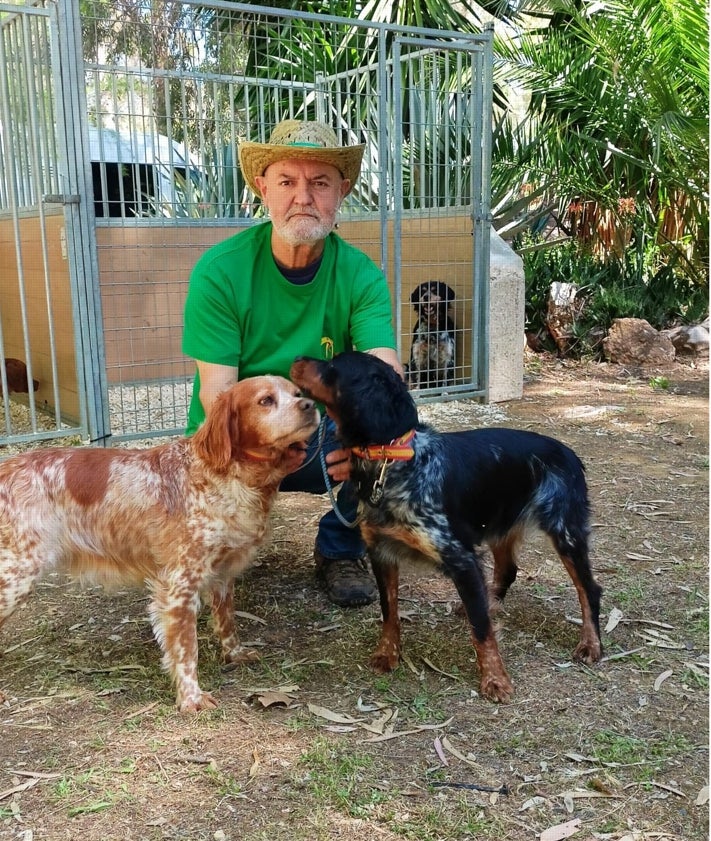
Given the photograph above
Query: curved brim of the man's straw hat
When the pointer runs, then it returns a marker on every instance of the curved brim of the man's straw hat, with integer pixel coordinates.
(254, 158)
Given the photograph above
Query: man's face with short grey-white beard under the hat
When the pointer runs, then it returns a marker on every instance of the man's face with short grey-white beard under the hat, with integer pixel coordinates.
(303, 198)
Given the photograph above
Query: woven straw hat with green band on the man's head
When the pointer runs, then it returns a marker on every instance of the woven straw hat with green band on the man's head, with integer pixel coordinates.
(303, 141)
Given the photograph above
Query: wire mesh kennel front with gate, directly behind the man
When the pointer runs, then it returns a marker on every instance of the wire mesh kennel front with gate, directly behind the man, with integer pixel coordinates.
(172, 89)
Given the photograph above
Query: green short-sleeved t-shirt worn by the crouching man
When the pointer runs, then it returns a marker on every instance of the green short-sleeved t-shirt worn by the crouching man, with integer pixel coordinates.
(241, 311)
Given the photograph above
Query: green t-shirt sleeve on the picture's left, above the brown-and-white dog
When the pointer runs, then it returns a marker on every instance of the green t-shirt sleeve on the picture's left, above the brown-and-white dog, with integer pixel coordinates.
(211, 331)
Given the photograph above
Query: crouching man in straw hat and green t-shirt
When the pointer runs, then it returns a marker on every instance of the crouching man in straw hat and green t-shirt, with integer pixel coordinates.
(293, 287)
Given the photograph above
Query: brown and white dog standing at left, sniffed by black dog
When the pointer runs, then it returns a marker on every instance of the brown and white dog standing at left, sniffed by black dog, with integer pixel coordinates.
(184, 517)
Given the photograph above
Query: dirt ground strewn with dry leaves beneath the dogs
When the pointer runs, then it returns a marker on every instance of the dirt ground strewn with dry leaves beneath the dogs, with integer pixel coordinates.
(309, 744)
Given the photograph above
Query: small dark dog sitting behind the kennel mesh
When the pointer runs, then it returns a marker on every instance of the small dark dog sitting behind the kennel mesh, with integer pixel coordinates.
(433, 349)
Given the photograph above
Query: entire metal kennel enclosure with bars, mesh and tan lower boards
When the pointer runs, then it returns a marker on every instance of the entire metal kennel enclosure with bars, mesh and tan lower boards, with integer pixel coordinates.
(149, 109)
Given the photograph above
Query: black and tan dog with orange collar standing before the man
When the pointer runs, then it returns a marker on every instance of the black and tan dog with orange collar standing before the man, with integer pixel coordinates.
(426, 495)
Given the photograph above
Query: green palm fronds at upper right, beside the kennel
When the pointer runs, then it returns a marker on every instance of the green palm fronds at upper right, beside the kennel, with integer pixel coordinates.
(618, 119)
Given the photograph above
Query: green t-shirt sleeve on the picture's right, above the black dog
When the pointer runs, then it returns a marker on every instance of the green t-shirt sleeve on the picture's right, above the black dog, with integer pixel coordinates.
(371, 316)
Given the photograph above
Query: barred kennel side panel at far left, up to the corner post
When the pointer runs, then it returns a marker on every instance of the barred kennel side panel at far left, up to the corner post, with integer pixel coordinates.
(49, 302)
